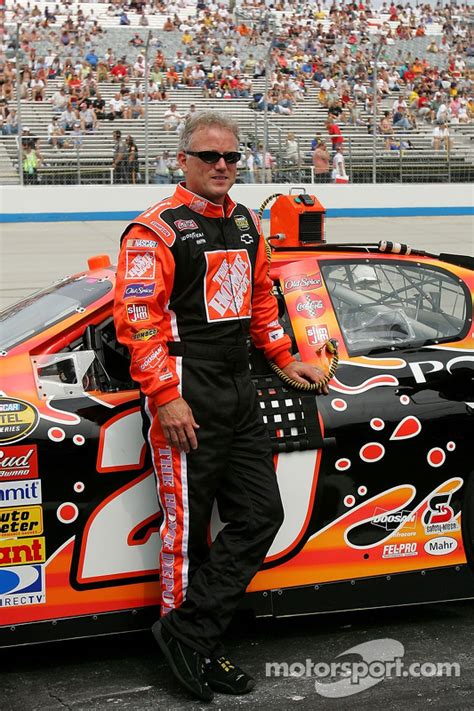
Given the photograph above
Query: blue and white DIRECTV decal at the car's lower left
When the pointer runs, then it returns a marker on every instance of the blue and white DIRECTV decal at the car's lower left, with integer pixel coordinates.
(22, 585)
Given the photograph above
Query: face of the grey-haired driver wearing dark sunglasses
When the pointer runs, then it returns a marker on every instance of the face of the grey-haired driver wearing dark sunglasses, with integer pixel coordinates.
(214, 181)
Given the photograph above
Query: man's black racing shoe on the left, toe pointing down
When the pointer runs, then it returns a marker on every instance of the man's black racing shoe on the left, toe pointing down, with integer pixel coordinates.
(186, 664)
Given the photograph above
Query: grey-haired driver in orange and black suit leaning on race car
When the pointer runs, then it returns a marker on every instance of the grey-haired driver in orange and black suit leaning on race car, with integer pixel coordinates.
(192, 285)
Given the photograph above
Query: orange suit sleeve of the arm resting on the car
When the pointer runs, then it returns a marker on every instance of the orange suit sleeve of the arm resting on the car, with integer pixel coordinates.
(265, 329)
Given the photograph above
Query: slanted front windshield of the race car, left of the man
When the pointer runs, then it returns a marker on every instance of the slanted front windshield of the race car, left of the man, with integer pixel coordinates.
(35, 314)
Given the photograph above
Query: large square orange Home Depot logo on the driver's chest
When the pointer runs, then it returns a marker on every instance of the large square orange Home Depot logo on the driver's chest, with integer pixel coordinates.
(227, 285)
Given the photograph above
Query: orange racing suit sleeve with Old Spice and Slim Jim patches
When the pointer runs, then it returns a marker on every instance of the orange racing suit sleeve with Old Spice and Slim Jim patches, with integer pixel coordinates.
(143, 323)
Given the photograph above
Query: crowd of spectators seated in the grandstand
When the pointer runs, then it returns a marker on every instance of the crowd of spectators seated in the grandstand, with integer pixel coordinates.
(327, 46)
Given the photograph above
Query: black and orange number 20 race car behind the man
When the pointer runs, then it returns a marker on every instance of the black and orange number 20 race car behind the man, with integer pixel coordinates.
(376, 478)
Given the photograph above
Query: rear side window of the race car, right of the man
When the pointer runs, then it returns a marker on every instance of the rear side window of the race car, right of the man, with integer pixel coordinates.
(394, 304)
